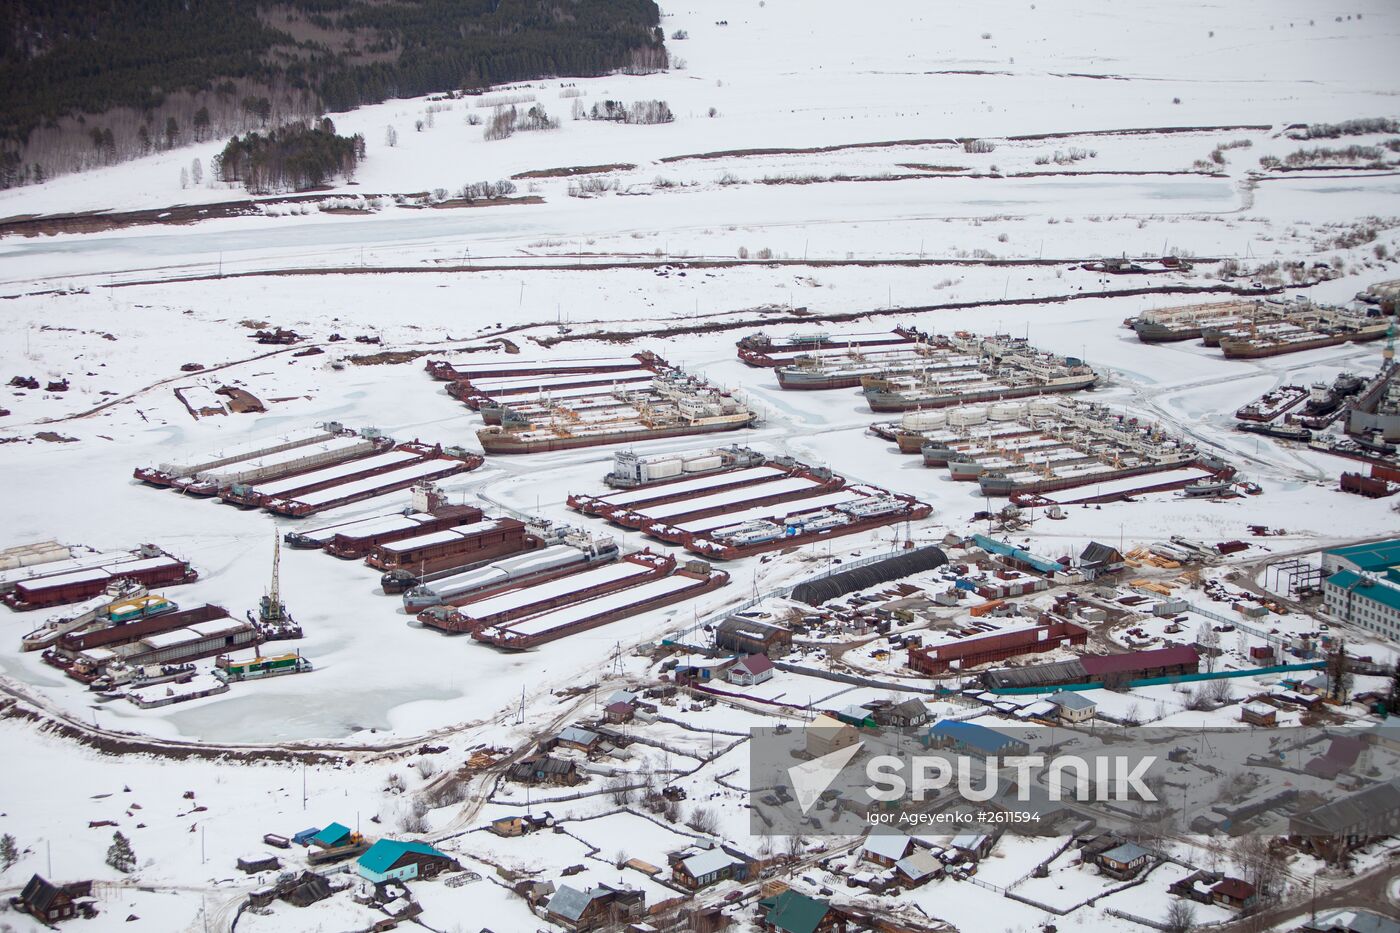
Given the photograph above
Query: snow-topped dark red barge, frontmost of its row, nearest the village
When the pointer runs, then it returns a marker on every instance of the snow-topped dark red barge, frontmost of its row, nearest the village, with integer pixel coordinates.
(688, 583)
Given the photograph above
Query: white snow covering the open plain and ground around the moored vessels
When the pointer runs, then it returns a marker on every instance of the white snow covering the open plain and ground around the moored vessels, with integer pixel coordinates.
(885, 97)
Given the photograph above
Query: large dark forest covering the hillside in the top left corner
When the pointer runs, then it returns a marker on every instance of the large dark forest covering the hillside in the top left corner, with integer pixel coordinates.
(94, 82)
